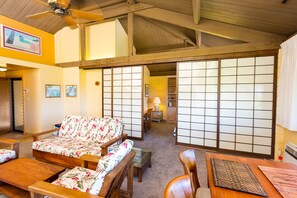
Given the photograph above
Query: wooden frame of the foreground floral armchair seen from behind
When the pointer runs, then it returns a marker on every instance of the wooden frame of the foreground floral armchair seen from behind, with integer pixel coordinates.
(110, 188)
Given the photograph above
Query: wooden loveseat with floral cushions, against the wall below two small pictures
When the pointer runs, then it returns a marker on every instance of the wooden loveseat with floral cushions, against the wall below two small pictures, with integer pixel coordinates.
(77, 136)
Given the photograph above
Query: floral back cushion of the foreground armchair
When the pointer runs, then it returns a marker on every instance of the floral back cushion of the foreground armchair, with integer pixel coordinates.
(108, 162)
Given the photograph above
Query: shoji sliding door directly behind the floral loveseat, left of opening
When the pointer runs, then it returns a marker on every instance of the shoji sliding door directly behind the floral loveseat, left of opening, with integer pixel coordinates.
(123, 97)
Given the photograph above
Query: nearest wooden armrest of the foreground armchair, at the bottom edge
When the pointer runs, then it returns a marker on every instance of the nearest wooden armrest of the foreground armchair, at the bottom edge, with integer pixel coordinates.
(51, 190)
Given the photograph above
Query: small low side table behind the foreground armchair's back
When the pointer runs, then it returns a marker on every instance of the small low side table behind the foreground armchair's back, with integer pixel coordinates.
(141, 160)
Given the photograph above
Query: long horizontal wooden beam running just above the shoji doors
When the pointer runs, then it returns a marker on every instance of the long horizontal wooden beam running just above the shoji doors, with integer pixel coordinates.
(181, 55)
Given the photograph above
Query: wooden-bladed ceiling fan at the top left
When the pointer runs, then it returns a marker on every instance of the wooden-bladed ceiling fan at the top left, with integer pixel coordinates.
(63, 8)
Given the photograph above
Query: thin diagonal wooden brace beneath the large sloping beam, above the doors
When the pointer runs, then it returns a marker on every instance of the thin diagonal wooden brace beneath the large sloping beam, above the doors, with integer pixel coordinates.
(168, 28)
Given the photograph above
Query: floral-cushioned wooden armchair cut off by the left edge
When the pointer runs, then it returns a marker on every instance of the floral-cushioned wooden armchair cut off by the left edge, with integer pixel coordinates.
(9, 154)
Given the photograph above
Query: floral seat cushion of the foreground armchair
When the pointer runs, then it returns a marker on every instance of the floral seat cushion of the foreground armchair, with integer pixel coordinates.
(77, 178)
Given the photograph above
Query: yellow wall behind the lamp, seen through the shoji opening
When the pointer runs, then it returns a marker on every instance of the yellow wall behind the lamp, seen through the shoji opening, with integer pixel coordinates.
(158, 88)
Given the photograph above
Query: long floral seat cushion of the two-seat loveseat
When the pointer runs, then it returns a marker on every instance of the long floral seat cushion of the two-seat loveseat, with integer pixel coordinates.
(67, 147)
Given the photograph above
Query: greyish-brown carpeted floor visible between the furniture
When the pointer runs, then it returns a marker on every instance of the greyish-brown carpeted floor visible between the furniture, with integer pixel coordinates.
(165, 163)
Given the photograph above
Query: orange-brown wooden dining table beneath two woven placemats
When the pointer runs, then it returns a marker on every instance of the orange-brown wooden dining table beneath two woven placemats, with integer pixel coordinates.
(253, 164)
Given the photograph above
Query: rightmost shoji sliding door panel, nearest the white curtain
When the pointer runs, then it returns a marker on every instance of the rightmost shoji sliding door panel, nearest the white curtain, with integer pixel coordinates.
(246, 113)
